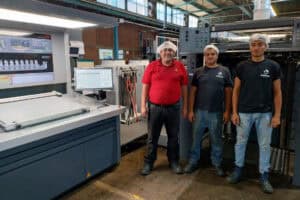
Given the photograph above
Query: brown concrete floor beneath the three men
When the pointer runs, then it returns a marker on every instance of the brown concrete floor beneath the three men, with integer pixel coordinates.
(125, 182)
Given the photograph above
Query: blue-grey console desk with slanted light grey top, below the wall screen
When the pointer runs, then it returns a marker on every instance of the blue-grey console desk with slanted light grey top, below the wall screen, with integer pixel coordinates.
(63, 141)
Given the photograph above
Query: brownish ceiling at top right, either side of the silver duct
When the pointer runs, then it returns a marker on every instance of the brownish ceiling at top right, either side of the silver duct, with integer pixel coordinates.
(220, 11)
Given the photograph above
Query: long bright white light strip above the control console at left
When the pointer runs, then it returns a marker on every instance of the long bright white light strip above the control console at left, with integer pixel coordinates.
(19, 16)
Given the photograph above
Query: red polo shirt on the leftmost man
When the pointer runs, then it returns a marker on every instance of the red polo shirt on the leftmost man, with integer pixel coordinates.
(165, 82)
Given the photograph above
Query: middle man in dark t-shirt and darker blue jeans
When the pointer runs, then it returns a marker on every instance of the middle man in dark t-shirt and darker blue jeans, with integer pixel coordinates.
(211, 89)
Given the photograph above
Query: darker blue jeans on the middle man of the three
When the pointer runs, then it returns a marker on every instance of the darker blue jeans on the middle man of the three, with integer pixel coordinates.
(214, 122)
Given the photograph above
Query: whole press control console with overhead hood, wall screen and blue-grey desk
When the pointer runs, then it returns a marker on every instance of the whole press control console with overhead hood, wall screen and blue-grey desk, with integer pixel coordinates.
(50, 142)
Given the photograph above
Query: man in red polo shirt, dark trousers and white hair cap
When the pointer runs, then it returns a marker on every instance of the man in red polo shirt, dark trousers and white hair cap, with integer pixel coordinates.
(164, 82)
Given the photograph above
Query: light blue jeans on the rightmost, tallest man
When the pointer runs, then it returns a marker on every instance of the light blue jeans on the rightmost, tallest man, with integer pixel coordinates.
(264, 134)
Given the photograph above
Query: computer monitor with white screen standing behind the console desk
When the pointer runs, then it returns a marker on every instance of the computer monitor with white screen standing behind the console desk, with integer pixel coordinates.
(93, 79)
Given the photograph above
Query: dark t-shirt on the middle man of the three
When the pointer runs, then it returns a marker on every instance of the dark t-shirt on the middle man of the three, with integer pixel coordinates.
(210, 83)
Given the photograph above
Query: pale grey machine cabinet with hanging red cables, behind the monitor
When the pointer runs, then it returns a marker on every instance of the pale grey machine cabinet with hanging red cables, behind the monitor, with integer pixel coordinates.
(127, 92)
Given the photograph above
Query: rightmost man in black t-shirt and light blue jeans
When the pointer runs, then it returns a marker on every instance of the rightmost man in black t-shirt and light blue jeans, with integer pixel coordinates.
(257, 89)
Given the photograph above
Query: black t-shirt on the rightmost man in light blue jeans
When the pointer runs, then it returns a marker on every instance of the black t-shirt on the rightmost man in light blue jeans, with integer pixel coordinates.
(256, 93)
